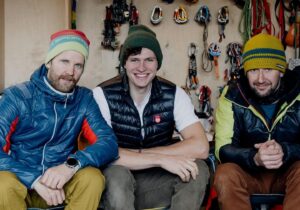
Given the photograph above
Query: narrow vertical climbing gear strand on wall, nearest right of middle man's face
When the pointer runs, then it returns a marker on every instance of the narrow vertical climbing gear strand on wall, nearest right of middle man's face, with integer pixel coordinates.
(192, 80)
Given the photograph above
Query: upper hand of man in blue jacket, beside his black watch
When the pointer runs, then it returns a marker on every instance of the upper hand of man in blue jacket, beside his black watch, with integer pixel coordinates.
(56, 177)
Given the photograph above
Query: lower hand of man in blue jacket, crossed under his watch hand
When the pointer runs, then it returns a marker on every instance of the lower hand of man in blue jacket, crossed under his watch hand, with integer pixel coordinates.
(51, 196)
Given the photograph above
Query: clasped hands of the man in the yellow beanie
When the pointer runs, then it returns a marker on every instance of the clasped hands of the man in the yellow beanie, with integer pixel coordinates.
(269, 154)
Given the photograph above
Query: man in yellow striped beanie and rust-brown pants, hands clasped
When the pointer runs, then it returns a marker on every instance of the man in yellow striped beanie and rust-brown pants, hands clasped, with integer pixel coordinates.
(258, 129)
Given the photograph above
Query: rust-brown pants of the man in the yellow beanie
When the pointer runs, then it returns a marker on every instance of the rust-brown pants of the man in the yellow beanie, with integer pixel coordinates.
(234, 186)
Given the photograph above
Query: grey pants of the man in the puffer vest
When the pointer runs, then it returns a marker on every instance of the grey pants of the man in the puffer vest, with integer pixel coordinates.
(152, 188)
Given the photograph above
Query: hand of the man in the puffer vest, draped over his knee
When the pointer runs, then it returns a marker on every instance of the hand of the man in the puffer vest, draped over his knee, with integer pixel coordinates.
(184, 167)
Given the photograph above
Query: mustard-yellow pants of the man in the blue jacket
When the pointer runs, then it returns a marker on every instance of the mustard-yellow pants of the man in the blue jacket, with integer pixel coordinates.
(83, 192)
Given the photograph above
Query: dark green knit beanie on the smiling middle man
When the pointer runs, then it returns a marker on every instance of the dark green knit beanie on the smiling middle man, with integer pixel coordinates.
(141, 36)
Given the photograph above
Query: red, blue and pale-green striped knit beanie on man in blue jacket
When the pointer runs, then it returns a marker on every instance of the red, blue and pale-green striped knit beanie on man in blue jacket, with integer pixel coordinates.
(68, 40)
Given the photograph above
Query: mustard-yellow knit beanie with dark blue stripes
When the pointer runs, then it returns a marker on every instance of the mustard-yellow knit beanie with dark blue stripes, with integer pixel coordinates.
(264, 51)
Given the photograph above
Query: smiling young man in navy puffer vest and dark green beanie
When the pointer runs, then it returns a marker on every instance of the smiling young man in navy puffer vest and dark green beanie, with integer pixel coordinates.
(143, 109)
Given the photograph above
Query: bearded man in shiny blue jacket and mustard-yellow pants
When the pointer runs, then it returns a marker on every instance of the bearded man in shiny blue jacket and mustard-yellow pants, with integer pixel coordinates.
(40, 164)
